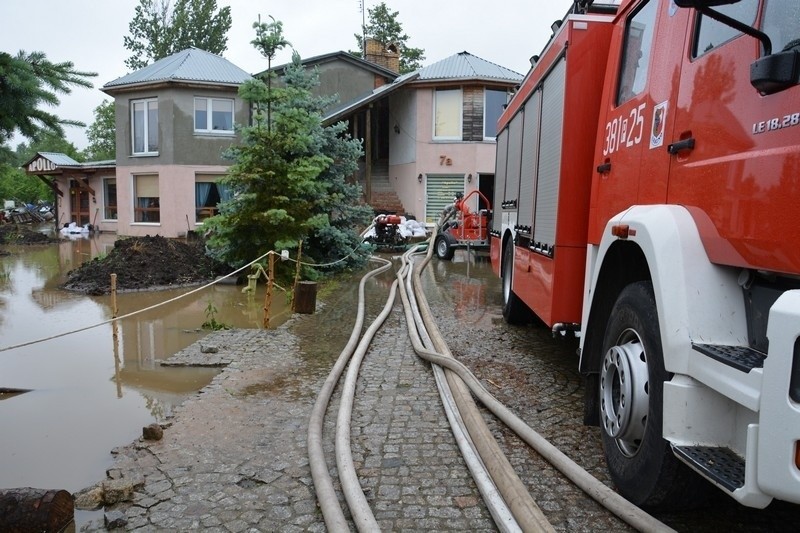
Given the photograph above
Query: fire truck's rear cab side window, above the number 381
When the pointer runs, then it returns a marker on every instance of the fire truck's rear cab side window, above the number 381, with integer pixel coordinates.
(636, 56)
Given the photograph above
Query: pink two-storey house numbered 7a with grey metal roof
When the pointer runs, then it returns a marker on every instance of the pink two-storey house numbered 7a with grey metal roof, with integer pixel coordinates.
(430, 134)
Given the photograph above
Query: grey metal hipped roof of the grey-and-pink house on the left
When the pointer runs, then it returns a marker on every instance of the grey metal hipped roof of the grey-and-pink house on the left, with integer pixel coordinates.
(190, 66)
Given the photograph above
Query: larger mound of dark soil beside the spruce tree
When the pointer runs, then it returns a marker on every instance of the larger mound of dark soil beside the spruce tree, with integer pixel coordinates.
(146, 263)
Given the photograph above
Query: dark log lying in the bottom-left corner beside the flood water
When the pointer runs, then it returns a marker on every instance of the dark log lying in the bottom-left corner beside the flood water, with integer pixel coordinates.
(28, 509)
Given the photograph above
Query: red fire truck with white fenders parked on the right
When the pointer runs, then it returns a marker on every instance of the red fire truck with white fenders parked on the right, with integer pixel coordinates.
(647, 198)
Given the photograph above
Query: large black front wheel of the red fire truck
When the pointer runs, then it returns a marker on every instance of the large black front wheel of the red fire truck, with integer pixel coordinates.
(640, 461)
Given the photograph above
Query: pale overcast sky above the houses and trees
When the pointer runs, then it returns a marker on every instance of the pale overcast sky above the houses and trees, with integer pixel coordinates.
(90, 34)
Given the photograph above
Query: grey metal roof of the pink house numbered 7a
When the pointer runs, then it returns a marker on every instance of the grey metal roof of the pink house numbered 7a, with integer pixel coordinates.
(462, 66)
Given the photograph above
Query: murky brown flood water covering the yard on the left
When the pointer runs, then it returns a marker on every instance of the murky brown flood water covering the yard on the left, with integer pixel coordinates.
(87, 395)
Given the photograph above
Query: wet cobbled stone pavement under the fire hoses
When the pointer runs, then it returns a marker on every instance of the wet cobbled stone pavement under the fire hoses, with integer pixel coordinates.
(234, 455)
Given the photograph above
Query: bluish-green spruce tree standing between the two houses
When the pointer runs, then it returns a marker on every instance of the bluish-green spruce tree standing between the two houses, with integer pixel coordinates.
(289, 176)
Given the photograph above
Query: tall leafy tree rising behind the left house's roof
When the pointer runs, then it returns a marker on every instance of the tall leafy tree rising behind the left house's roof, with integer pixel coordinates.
(157, 30)
